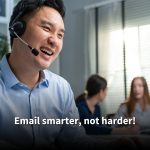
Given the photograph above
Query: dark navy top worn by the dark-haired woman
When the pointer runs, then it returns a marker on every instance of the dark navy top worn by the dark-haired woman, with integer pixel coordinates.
(85, 113)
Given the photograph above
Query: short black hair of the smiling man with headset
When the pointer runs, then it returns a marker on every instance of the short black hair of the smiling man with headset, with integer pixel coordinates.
(26, 7)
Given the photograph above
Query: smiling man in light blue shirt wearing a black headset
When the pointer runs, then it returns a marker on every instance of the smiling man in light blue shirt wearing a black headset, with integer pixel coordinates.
(29, 92)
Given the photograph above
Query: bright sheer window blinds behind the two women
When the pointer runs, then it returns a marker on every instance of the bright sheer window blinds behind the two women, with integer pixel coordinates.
(111, 35)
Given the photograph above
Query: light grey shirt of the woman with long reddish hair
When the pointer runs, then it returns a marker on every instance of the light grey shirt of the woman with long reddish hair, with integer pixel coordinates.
(142, 118)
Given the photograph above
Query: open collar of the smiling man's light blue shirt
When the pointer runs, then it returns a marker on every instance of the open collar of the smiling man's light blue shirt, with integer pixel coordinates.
(11, 80)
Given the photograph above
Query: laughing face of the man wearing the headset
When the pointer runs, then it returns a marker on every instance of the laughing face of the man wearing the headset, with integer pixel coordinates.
(45, 32)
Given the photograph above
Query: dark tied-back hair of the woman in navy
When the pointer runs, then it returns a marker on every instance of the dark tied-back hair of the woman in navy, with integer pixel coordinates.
(94, 84)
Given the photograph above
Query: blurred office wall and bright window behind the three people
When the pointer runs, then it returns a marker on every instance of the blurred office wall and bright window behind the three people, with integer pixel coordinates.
(108, 37)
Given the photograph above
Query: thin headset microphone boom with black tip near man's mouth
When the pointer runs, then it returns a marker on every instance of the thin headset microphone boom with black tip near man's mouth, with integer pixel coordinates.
(34, 51)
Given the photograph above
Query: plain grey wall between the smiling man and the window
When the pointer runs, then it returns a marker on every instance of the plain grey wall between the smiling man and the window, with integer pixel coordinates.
(72, 60)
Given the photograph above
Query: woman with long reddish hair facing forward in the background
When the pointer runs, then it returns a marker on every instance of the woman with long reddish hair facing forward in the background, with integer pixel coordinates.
(138, 104)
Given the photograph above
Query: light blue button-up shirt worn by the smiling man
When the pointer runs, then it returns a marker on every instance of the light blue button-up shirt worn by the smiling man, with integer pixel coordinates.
(52, 97)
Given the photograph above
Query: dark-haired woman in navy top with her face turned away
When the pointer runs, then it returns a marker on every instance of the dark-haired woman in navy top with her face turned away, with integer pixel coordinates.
(88, 106)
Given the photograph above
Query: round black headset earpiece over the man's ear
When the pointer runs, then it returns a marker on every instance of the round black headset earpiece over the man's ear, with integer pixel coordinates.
(19, 27)
